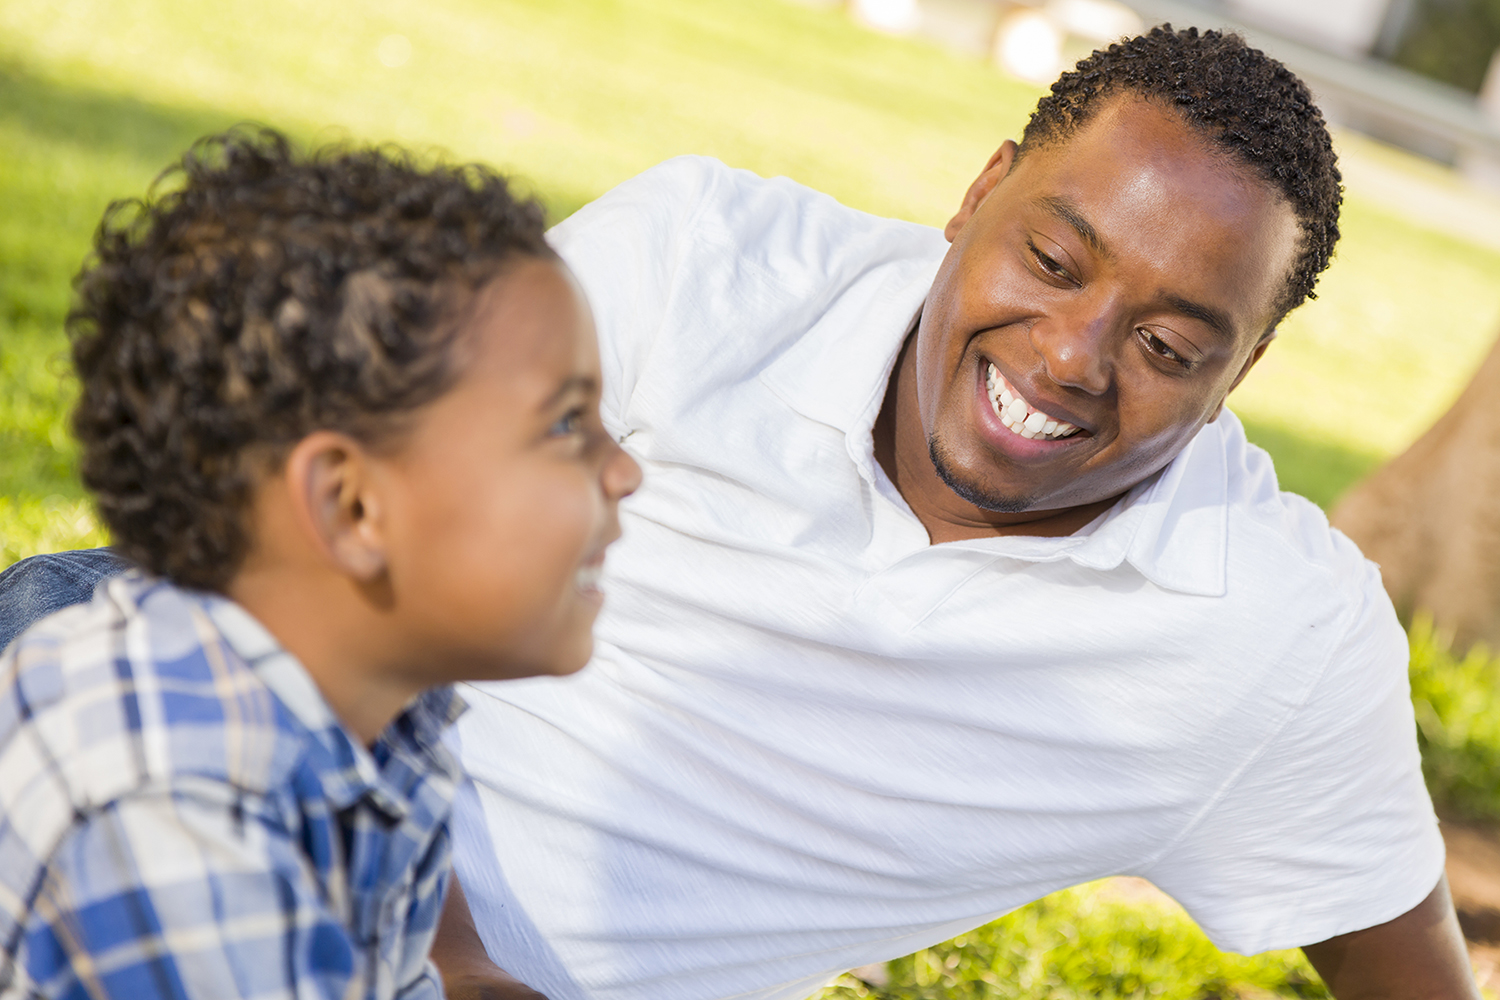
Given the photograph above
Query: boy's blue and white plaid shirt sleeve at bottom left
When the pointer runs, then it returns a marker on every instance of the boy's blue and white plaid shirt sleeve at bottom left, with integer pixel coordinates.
(175, 896)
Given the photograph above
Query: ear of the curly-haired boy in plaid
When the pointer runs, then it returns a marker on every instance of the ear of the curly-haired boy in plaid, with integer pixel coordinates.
(335, 503)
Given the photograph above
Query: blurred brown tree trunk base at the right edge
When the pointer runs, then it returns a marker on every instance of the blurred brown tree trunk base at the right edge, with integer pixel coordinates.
(1432, 516)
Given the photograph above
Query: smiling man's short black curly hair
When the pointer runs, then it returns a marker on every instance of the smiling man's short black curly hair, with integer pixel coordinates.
(1241, 100)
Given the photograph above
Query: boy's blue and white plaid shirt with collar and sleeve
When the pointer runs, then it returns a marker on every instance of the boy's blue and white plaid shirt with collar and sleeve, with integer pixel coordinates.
(184, 816)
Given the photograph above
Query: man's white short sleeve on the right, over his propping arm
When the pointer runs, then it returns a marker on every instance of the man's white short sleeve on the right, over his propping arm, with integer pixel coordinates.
(1328, 828)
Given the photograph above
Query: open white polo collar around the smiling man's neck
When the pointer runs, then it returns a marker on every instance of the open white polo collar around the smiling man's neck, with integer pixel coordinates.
(1172, 528)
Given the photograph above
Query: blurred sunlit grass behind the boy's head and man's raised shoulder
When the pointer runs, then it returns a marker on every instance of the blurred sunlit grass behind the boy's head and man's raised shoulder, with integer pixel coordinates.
(572, 95)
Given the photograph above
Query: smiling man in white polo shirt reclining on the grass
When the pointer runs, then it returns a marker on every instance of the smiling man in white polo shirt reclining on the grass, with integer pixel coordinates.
(952, 584)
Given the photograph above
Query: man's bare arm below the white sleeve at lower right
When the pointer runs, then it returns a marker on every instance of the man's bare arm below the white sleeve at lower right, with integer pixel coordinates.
(1420, 956)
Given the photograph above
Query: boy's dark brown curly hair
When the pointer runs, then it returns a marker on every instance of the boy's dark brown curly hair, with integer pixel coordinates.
(256, 296)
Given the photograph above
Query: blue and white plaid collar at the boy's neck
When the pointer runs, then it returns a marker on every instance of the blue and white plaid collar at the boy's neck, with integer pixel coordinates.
(415, 734)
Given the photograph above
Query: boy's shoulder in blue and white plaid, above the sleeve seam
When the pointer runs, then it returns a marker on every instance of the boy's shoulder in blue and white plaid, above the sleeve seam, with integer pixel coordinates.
(131, 692)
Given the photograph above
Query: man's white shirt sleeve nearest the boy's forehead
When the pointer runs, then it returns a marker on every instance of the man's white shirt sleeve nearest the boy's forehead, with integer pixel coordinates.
(626, 251)
